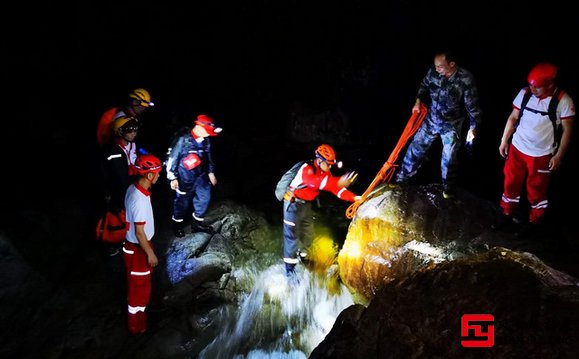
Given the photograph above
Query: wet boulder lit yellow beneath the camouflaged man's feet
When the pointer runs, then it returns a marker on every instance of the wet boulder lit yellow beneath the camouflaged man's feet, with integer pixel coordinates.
(400, 229)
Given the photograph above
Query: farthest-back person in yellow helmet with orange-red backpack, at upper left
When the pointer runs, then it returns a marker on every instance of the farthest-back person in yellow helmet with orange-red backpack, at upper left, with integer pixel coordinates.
(139, 100)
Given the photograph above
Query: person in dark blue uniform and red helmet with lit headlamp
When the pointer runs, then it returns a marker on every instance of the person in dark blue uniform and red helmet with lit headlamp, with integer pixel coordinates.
(191, 173)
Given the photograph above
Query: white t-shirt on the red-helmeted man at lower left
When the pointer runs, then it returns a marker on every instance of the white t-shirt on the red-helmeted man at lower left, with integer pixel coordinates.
(139, 210)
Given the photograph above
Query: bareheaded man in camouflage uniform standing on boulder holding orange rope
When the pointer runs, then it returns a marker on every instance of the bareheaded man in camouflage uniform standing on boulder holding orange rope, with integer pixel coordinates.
(453, 97)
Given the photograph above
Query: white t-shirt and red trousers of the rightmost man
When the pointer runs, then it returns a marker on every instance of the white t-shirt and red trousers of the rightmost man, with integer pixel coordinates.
(532, 147)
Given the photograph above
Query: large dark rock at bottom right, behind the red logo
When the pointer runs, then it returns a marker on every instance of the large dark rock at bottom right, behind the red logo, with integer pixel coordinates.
(535, 310)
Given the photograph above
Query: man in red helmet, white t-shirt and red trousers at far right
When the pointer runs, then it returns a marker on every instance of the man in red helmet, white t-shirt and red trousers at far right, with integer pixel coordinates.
(531, 147)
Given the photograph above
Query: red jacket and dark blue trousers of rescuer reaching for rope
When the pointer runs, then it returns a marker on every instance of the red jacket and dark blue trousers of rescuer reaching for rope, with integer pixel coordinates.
(298, 221)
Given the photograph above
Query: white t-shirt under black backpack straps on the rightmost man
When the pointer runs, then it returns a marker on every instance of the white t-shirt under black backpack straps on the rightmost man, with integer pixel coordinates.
(534, 135)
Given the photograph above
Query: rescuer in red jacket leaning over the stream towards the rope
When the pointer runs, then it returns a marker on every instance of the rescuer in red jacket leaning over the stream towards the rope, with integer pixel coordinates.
(298, 219)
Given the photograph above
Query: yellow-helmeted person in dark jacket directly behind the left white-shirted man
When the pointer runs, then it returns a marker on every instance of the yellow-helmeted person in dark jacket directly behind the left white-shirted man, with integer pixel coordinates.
(118, 168)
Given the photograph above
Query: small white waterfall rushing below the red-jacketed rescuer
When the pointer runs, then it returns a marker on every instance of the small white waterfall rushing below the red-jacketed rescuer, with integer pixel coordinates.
(278, 318)
